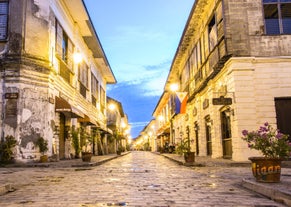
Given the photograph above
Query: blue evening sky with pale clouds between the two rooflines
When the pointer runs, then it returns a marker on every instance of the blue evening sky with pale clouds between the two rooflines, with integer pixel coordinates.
(140, 39)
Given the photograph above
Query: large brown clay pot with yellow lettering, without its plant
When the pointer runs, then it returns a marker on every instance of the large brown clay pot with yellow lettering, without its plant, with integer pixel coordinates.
(266, 170)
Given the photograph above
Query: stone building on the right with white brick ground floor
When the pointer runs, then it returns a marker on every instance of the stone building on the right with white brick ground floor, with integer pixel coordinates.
(234, 63)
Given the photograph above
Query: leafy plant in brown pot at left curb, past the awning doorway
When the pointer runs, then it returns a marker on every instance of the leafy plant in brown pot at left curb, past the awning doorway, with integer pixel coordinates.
(86, 142)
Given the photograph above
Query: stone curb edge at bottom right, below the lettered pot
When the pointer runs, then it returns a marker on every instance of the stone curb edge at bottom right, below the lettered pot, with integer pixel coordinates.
(277, 195)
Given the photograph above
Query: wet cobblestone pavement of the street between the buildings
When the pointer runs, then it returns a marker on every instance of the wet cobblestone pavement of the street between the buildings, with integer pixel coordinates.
(136, 179)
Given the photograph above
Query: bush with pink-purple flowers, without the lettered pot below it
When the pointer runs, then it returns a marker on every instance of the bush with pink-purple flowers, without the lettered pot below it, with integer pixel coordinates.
(271, 142)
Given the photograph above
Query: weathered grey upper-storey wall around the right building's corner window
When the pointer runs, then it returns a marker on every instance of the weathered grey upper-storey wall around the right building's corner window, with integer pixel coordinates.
(245, 31)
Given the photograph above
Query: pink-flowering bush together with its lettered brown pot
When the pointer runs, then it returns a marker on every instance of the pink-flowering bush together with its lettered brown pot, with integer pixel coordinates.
(274, 146)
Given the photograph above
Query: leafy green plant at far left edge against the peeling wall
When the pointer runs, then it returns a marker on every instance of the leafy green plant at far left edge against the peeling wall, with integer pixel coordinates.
(6, 149)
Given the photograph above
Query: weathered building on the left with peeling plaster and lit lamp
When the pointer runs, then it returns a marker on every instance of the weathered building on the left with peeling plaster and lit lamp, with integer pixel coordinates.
(54, 74)
